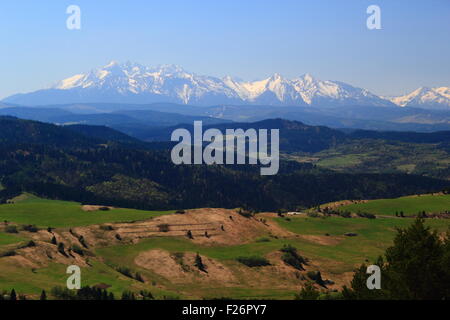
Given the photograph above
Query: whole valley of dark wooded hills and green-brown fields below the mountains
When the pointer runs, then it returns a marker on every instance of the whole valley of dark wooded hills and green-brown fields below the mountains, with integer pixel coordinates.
(140, 226)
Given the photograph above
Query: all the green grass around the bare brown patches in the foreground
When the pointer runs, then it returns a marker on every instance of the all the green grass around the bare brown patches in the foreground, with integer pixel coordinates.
(339, 255)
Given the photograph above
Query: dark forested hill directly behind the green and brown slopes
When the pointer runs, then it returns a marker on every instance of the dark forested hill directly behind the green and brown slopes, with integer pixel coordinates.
(58, 163)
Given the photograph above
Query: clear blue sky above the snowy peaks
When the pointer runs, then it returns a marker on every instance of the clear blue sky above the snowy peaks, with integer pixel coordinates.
(250, 39)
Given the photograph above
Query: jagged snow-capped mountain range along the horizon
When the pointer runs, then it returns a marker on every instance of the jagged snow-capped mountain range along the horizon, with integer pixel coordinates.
(134, 83)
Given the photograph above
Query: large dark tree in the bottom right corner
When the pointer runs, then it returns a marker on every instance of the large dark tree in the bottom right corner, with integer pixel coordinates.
(416, 267)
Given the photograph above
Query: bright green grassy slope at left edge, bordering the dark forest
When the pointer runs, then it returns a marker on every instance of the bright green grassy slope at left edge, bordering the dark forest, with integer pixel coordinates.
(65, 214)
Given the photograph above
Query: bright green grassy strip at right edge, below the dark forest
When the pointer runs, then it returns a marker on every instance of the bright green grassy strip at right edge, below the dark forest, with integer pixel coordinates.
(409, 205)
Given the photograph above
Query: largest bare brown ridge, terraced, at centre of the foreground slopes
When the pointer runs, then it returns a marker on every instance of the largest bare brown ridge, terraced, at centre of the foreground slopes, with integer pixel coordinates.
(237, 230)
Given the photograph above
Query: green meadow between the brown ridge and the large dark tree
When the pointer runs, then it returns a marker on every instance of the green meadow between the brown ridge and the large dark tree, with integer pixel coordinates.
(374, 236)
